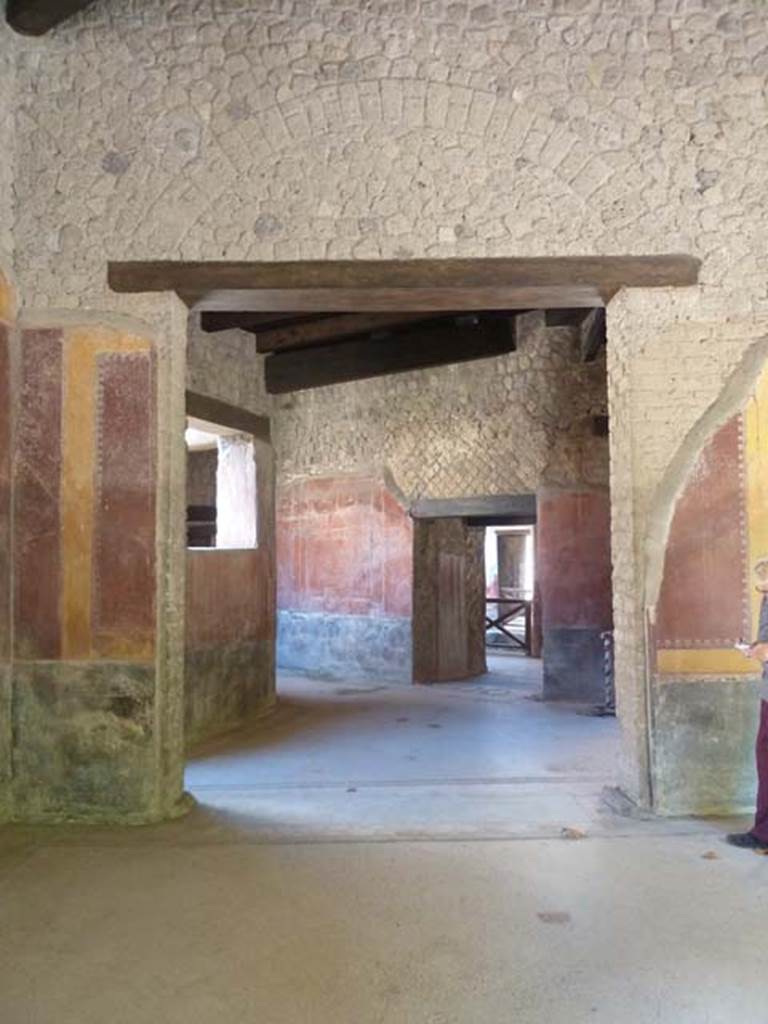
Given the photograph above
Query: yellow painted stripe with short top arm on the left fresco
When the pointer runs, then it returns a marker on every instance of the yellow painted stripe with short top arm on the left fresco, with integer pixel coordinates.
(82, 349)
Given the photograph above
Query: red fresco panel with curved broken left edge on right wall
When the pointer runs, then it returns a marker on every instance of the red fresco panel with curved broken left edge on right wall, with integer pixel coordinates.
(704, 601)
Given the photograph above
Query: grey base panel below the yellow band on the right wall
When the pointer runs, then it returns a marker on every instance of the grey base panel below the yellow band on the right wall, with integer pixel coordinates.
(704, 746)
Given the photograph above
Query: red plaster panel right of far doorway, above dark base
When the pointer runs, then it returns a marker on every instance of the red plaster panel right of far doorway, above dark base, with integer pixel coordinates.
(574, 560)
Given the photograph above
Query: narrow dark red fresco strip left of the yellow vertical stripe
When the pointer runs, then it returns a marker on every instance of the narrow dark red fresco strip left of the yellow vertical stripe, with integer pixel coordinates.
(37, 554)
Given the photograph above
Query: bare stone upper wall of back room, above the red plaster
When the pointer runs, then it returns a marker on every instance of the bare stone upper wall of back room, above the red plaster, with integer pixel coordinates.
(498, 426)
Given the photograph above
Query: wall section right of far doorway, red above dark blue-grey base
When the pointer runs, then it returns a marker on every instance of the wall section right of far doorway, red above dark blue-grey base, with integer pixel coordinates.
(574, 573)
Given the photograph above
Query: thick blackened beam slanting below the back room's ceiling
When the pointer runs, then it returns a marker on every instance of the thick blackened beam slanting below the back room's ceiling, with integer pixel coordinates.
(374, 357)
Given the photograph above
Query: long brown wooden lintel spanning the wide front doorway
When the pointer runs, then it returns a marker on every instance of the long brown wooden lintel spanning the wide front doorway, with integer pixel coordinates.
(405, 286)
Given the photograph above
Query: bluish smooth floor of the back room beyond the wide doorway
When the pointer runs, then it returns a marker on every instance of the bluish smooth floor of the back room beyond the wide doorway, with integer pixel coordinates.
(484, 758)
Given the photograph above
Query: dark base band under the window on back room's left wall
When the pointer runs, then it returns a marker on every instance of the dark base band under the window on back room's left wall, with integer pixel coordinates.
(225, 687)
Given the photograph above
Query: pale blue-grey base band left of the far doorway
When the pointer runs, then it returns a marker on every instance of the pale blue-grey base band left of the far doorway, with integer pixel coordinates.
(346, 647)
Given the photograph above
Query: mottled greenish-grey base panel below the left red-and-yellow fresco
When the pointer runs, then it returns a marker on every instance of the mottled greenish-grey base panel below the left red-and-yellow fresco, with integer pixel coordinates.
(84, 741)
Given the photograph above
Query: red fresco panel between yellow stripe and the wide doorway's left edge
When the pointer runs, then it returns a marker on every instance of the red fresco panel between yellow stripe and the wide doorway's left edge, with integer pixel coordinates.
(124, 527)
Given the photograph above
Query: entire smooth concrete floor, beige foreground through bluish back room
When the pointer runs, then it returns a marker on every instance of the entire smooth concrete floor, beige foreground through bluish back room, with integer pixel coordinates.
(350, 862)
